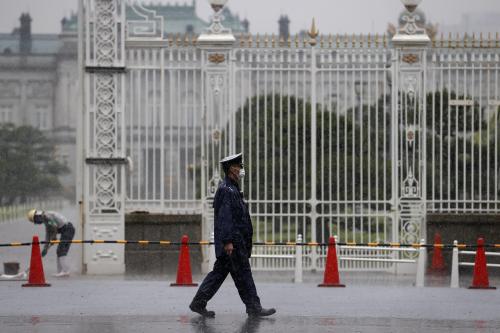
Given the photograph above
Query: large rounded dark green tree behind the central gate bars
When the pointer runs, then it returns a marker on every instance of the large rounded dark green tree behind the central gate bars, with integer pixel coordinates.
(345, 142)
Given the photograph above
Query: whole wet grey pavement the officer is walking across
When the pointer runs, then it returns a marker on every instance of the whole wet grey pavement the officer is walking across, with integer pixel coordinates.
(118, 305)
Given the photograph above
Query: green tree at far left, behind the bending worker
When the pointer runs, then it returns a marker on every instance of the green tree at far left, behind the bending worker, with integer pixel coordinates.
(28, 167)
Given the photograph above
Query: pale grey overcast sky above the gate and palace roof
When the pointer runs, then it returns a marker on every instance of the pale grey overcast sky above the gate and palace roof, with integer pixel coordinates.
(332, 16)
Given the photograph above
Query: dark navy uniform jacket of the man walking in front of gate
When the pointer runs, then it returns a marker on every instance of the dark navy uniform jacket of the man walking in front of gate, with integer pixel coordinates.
(232, 219)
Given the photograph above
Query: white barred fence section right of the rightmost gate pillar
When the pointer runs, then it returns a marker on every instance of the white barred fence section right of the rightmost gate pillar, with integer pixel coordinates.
(462, 122)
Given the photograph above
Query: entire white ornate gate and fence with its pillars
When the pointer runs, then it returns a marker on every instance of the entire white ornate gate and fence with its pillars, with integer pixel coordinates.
(341, 135)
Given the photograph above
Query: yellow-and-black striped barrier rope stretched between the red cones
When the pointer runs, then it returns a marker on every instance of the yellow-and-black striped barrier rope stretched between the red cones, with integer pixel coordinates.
(202, 242)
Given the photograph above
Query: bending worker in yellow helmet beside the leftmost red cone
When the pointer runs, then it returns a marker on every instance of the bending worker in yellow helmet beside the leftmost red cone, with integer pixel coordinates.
(55, 223)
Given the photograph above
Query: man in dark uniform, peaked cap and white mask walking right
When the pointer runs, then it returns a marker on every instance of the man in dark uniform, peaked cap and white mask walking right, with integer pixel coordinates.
(233, 244)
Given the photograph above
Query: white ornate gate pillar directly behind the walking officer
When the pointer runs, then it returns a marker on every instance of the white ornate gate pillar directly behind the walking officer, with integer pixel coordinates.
(218, 139)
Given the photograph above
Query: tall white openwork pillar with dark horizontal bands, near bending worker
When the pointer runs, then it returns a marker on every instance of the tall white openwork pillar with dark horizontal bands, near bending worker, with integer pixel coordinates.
(102, 141)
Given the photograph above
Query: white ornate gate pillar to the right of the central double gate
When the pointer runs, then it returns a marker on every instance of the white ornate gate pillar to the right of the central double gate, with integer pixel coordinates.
(409, 126)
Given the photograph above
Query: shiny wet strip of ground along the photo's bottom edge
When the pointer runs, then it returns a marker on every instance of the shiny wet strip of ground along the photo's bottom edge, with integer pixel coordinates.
(237, 324)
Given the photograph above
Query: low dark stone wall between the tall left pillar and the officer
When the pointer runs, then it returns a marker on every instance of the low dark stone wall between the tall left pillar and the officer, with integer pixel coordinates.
(159, 259)
